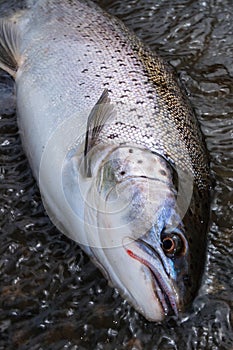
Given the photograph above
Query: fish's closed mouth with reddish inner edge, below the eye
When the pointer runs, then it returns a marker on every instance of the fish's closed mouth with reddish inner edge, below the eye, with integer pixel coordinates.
(164, 291)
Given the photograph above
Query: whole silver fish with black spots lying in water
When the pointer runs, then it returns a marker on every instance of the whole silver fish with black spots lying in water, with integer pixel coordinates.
(115, 147)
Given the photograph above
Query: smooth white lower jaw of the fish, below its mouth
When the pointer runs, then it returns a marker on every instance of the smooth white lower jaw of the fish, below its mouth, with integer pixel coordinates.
(134, 282)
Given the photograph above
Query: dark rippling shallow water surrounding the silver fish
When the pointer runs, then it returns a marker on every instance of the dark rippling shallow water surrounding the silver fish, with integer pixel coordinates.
(51, 295)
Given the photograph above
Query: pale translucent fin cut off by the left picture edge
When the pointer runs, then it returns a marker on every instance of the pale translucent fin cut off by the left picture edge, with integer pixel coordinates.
(9, 46)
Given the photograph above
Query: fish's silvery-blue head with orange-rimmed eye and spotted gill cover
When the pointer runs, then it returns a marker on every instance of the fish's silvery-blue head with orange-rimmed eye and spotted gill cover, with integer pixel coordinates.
(140, 239)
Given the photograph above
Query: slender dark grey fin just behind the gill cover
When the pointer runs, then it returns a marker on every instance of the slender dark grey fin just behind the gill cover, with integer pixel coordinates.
(100, 114)
